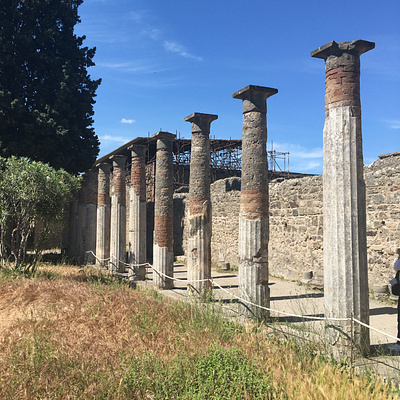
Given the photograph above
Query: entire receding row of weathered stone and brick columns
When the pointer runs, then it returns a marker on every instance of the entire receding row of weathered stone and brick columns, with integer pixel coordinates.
(345, 263)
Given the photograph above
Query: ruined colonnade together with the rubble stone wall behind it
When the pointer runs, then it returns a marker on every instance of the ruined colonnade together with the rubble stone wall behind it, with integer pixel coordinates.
(217, 203)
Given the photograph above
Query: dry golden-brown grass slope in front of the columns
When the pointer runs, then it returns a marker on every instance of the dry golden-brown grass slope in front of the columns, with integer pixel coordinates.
(82, 335)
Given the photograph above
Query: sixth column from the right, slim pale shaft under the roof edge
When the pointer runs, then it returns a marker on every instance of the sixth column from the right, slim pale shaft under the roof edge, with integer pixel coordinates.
(118, 215)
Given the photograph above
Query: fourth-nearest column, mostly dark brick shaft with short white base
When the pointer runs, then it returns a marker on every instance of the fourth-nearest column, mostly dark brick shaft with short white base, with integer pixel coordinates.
(163, 252)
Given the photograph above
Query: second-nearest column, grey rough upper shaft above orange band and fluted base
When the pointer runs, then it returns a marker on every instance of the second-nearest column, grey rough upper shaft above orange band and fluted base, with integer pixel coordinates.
(254, 202)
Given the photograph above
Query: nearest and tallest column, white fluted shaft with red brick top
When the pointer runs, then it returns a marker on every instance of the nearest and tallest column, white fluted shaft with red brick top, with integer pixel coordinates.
(344, 206)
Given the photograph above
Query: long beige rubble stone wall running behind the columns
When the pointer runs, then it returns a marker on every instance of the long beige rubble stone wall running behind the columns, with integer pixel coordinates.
(296, 222)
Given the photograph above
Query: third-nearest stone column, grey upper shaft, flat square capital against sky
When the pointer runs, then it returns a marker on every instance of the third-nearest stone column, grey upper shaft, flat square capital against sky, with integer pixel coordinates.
(199, 217)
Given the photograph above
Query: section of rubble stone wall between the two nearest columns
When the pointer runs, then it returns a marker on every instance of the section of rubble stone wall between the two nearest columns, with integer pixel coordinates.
(296, 227)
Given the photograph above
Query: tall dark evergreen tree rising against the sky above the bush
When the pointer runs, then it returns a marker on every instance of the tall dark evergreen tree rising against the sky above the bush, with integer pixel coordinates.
(46, 93)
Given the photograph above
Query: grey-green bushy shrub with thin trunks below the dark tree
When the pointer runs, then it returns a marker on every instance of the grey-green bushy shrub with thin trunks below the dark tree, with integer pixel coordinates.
(30, 192)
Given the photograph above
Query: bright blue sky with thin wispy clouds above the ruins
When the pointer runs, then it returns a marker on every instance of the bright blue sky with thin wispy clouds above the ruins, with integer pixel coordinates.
(163, 60)
